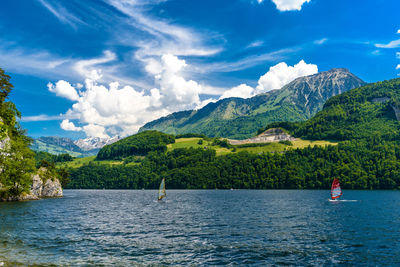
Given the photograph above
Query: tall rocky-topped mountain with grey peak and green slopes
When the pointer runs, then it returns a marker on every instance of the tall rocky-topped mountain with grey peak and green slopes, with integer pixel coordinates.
(240, 118)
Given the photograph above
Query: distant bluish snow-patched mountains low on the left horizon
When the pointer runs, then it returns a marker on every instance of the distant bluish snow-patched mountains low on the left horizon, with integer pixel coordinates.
(78, 148)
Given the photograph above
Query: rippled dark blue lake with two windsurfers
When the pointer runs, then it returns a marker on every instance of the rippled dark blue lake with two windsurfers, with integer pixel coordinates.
(203, 227)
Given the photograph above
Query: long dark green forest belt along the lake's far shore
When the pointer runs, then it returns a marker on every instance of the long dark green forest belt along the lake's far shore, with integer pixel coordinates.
(366, 164)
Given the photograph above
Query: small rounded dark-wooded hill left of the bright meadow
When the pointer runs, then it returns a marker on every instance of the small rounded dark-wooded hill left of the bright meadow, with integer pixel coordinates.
(136, 145)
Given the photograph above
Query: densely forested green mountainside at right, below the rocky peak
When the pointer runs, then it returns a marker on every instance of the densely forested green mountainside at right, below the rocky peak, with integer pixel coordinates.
(371, 111)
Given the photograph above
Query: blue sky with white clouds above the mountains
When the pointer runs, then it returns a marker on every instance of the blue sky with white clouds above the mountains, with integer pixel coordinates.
(106, 67)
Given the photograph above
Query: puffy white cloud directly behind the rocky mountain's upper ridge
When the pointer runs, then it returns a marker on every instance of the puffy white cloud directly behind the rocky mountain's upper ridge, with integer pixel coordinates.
(282, 74)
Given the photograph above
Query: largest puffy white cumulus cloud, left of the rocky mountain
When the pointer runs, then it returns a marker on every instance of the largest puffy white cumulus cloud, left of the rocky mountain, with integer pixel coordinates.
(105, 110)
